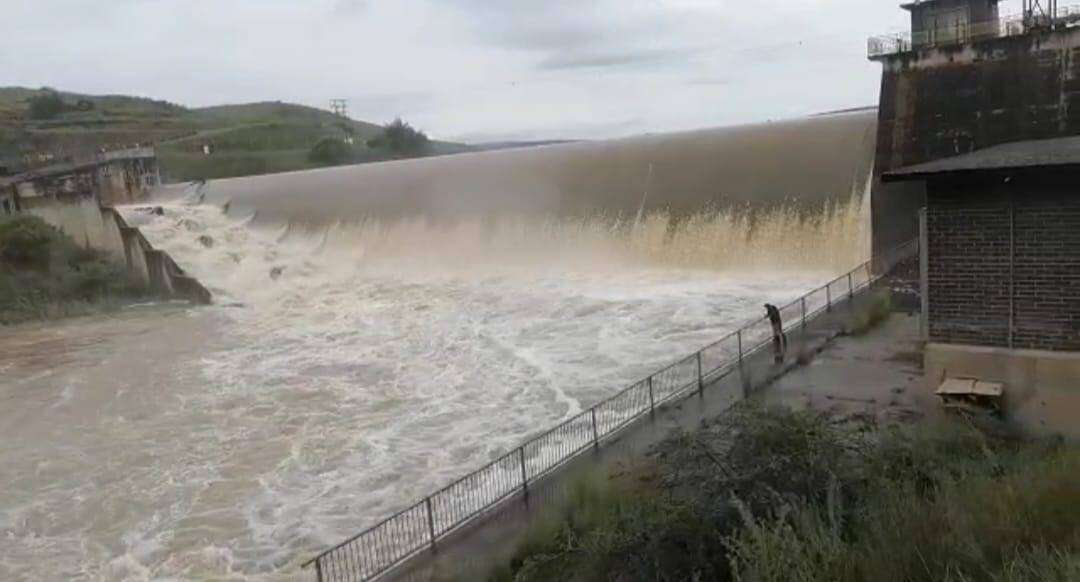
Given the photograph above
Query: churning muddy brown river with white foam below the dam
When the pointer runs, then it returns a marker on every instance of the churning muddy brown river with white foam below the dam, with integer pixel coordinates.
(353, 364)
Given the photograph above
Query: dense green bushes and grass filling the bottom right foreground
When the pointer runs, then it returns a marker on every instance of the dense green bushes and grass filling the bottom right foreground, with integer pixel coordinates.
(771, 495)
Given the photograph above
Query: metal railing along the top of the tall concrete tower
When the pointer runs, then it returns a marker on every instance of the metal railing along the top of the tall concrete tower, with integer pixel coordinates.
(1012, 25)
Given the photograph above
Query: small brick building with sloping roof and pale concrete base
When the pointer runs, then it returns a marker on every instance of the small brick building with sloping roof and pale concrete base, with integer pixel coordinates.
(1002, 274)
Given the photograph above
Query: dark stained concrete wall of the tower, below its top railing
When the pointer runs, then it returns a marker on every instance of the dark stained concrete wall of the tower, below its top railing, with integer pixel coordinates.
(937, 103)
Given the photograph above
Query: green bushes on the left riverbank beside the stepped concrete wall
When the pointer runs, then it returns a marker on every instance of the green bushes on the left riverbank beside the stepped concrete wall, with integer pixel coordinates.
(44, 274)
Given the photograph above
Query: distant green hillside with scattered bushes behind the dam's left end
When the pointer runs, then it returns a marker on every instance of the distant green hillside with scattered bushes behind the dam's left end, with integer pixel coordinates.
(244, 140)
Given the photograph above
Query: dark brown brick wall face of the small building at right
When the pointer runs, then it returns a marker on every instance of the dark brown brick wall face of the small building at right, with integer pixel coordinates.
(976, 277)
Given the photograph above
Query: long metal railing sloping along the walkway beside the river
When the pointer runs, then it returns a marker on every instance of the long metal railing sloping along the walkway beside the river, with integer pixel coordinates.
(420, 527)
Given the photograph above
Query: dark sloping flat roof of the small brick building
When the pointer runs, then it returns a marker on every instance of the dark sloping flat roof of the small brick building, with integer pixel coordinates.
(1058, 153)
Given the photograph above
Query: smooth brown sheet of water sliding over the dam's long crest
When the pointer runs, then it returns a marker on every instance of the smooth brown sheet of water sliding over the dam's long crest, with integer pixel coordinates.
(806, 163)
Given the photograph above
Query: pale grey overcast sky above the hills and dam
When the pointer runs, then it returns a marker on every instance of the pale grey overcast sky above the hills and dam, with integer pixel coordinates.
(466, 70)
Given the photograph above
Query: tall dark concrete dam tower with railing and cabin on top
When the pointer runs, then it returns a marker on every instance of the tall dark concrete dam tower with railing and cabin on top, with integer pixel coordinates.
(965, 78)
